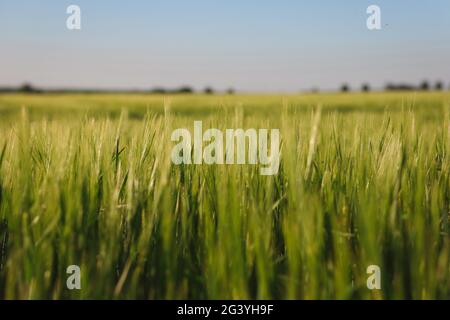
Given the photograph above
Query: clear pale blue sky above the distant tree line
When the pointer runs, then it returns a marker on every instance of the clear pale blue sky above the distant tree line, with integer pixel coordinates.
(251, 45)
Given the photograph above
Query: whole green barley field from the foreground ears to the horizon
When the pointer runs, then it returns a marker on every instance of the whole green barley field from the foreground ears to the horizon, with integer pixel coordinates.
(87, 180)
